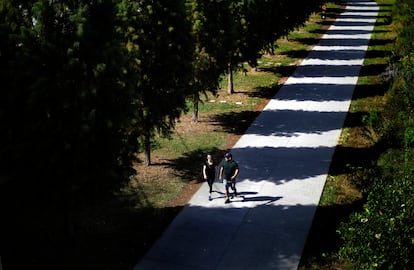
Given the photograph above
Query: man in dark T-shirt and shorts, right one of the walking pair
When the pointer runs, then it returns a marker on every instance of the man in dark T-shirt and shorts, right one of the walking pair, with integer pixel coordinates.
(228, 173)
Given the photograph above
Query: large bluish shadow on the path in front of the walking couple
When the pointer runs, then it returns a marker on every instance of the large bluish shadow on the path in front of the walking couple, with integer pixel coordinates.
(206, 237)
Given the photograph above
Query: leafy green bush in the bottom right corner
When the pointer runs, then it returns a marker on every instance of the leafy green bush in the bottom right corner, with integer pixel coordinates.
(382, 236)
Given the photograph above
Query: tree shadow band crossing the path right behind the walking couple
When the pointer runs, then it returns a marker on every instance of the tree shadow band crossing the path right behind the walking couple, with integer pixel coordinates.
(281, 164)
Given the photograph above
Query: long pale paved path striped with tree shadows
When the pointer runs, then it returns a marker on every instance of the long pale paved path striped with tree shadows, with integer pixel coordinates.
(284, 159)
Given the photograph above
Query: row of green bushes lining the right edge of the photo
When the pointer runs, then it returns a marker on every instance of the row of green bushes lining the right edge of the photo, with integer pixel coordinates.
(382, 235)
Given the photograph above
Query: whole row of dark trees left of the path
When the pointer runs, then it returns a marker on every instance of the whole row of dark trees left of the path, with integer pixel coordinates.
(86, 84)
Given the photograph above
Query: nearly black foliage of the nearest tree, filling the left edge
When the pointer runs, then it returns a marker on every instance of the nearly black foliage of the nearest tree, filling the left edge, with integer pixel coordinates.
(65, 116)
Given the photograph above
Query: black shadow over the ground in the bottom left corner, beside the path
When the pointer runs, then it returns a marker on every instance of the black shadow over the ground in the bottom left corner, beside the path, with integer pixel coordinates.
(32, 232)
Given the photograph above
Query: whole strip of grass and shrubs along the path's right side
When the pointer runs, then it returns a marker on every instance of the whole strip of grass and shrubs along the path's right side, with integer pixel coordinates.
(365, 218)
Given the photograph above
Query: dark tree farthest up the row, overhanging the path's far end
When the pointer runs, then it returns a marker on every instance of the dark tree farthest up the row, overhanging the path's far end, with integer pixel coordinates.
(254, 24)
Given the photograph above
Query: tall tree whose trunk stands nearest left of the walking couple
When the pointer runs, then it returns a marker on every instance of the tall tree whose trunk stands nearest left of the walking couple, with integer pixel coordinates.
(158, 38)
